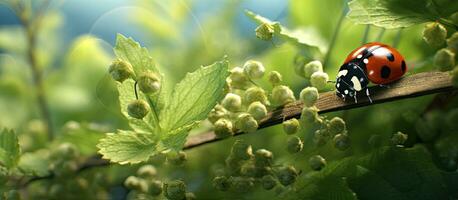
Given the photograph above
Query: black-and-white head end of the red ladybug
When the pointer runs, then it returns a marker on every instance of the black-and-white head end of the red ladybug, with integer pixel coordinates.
(350, 80)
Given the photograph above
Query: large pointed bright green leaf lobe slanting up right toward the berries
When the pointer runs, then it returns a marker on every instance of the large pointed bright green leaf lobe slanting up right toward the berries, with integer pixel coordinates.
(194, 97)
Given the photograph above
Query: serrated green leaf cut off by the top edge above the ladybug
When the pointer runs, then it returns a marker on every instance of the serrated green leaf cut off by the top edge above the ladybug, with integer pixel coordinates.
(392, 13)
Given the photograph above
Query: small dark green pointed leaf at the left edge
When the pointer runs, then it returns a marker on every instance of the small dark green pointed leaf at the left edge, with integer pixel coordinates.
(9, 148)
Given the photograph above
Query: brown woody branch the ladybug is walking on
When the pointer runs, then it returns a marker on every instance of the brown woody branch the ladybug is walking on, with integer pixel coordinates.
(408, 87)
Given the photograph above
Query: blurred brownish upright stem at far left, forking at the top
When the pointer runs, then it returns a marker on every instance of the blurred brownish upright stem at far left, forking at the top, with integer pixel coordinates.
(31, 26)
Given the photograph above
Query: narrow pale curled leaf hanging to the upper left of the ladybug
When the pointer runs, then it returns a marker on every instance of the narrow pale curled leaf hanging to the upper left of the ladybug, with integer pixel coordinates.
(298, 38)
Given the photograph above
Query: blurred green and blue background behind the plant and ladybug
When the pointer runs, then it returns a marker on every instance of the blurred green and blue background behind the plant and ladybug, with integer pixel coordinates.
(75, 49)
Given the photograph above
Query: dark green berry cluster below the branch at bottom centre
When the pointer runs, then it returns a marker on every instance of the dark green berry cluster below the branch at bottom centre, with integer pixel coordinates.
(246, 169)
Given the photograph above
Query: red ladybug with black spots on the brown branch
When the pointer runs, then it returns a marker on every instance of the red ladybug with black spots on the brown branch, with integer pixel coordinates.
(373, 62)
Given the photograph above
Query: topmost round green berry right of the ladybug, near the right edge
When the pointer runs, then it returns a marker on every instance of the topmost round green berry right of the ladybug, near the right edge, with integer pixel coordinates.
(434, 34)
